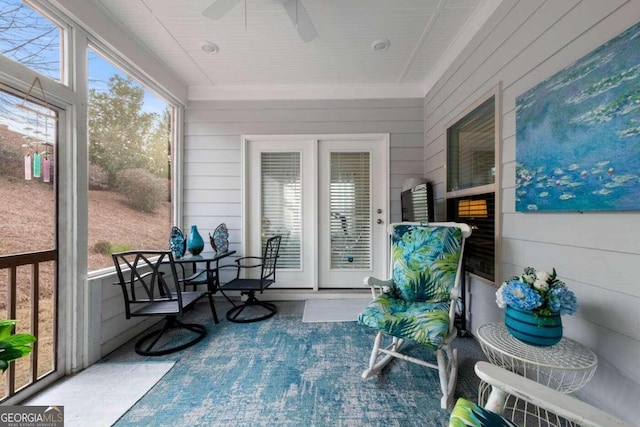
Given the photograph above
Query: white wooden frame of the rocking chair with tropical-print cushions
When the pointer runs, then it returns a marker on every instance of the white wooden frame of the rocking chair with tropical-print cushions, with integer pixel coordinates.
(446, 356)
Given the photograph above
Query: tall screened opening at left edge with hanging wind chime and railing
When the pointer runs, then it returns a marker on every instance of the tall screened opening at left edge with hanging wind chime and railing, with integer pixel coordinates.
(28, 150)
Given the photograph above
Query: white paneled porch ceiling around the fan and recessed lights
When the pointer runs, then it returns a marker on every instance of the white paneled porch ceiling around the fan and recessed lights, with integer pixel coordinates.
(270, 53)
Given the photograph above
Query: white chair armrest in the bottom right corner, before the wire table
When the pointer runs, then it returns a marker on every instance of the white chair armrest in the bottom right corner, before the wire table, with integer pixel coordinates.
(505, 383)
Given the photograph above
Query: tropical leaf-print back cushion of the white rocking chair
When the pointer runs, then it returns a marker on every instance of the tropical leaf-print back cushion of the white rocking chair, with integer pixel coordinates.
(426, 259)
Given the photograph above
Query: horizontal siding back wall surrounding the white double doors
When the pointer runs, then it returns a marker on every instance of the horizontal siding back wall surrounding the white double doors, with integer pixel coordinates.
(212, 154)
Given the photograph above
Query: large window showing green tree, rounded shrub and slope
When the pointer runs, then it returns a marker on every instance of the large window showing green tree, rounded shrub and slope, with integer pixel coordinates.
(130, 145)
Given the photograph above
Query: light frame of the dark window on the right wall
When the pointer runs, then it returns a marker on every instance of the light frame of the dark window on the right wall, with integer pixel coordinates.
(495, 187)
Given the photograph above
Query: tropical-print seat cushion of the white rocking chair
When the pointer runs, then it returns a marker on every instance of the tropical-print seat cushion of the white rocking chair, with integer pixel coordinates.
(426, 323)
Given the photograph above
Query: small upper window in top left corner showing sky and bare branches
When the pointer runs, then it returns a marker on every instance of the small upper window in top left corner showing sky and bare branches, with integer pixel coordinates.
(31, 39)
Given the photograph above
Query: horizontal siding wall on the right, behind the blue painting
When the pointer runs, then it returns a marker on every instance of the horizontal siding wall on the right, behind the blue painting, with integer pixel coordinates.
(597, 254)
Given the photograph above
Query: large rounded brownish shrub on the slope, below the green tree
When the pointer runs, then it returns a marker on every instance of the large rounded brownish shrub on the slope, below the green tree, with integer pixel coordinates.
(143, 191)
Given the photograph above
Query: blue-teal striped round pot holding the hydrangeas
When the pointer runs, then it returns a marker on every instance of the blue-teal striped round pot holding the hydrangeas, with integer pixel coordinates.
(533, 328)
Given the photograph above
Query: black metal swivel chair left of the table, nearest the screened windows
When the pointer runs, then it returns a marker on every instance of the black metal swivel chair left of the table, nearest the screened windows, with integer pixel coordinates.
(151, 287)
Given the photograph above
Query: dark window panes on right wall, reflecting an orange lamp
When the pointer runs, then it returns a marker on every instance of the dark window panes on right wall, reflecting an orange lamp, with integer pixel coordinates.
(471, 160)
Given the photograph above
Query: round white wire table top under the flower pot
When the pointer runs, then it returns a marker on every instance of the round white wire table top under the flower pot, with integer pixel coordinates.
(566, 354)
